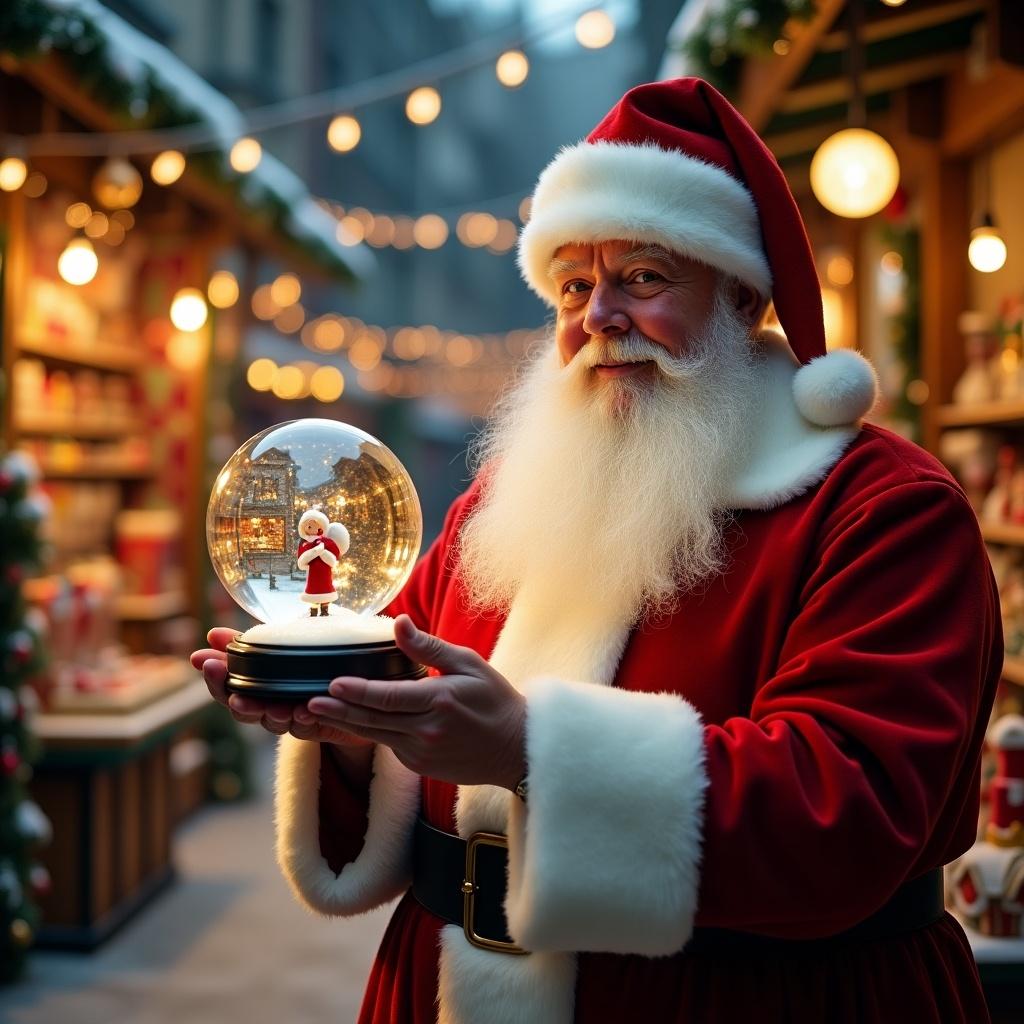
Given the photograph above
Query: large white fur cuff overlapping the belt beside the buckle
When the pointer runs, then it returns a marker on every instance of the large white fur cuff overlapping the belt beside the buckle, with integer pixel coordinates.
(605, 856)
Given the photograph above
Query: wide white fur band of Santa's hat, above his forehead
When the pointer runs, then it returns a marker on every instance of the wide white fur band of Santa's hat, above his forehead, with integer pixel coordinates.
(603, 192)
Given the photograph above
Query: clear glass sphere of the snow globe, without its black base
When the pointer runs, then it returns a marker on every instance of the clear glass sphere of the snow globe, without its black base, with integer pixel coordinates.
(335, 482)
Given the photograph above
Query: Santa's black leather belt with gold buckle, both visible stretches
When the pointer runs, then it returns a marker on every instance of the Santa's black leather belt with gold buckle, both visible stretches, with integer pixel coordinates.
(463, 882)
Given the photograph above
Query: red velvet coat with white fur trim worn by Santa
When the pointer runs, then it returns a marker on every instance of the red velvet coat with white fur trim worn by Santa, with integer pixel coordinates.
(843, 670)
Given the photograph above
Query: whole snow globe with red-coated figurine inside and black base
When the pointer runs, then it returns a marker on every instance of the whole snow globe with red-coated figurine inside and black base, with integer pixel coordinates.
(313, 528)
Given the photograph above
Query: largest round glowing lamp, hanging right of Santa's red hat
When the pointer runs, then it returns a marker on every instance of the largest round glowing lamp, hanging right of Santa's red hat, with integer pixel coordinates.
(855, 174)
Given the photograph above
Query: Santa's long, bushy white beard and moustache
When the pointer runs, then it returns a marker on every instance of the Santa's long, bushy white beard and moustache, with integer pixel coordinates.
(611, 491)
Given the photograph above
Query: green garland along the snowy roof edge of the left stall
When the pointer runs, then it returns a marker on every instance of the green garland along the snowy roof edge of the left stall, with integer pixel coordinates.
(35, 30)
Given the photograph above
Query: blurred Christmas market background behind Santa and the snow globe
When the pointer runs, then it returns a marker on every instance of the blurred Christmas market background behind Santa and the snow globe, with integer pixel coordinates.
(218, 217)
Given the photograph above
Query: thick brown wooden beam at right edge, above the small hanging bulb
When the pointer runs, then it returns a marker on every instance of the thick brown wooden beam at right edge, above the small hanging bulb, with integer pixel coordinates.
(983, 106)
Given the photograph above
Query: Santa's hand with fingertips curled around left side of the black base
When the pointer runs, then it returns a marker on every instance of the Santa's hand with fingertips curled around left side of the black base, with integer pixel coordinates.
(275, 716)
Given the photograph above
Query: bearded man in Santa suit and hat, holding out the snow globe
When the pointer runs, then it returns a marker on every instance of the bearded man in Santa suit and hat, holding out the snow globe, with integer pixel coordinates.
(712, 657)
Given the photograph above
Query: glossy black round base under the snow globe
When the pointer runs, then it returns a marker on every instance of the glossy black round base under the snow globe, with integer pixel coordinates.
(279, 673)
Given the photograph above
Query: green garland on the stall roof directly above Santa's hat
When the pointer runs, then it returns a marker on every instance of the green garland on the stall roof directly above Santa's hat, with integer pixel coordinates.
(742, 29)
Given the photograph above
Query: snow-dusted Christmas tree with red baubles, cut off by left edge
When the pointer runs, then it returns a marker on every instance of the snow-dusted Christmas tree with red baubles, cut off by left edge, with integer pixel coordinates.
(24, 828)
